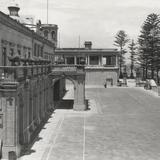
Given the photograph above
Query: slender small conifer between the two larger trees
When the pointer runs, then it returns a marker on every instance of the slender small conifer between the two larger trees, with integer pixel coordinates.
(132, 47)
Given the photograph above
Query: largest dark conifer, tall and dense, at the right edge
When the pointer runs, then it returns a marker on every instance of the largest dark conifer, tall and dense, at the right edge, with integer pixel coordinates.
(149, 45)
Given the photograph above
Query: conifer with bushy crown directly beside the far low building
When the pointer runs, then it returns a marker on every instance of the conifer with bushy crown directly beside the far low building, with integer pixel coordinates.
(121, 40)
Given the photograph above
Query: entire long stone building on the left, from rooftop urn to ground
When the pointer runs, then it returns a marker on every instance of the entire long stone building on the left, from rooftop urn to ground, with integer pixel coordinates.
(20, 43)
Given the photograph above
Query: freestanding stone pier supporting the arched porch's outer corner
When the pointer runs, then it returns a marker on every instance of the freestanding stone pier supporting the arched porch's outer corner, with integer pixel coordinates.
(79, 94)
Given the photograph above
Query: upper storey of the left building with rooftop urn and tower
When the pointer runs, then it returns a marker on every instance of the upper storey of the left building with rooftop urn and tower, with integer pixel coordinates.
(18, 40)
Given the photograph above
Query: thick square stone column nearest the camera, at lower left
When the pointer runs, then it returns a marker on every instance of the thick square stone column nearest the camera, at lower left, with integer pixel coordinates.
(10, 122)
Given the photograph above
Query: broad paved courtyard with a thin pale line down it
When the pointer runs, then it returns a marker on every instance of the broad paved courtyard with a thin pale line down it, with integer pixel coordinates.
(121, 124)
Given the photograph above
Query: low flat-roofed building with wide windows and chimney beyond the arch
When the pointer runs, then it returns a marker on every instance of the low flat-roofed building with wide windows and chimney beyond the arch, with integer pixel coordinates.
(101, 65)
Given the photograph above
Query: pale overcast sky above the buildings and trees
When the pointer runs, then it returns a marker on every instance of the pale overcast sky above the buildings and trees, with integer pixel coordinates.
(94, 20)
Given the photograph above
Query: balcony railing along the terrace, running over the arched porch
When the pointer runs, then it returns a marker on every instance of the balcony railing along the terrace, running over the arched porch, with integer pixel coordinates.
(20, 73)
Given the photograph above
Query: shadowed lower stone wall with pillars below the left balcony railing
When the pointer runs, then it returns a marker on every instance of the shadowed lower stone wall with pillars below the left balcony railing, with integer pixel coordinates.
(25, 104)
